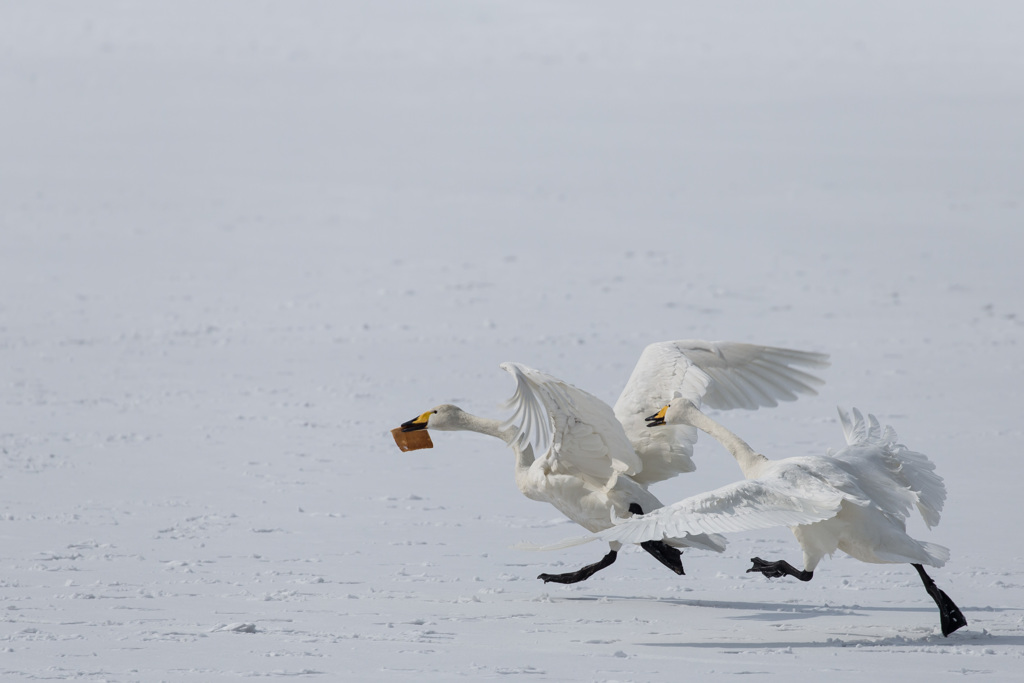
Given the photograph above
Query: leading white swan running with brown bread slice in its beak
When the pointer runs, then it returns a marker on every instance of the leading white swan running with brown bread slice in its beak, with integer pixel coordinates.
(595, 462)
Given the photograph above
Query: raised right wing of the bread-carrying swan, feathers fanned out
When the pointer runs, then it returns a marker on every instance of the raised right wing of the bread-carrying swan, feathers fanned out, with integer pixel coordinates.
(722, 375)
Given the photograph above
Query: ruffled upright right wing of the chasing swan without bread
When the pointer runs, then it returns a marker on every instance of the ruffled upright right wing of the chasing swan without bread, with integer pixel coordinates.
(894, 478)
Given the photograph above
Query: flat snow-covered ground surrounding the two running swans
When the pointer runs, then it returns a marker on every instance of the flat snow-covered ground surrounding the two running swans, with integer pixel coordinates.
(241, 241)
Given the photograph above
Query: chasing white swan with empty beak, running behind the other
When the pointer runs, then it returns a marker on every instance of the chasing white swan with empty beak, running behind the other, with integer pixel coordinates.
(865, 493)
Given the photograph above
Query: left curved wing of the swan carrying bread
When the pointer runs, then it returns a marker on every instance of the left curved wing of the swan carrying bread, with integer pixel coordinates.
(575, 433)
